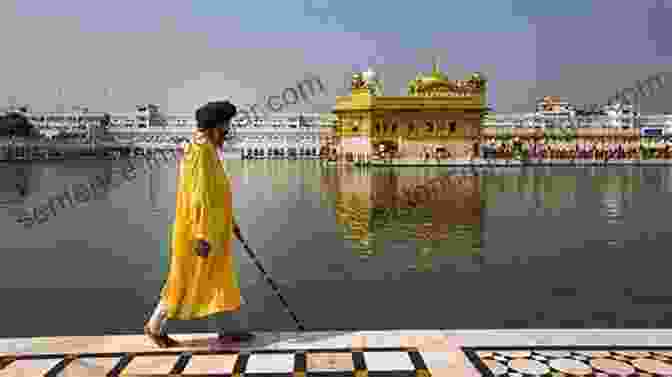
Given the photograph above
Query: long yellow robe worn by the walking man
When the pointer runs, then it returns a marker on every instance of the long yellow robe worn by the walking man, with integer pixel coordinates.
(197, 287)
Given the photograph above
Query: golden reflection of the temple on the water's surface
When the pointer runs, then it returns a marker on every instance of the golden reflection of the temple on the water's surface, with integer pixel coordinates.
(433, 215)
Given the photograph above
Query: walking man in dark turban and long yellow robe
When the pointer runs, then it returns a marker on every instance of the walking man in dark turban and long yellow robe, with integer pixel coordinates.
(202, 276)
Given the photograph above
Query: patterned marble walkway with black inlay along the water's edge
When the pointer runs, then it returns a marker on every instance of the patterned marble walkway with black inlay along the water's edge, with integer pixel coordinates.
(418, 353)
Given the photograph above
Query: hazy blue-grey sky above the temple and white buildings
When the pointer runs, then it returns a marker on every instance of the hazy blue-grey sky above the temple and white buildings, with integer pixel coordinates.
(112, 55)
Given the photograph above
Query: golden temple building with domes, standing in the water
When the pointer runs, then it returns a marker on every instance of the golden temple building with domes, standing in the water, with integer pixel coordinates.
(437, 115)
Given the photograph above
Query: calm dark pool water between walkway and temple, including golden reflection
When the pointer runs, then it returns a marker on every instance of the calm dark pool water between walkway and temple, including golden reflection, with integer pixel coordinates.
(353, 249)
